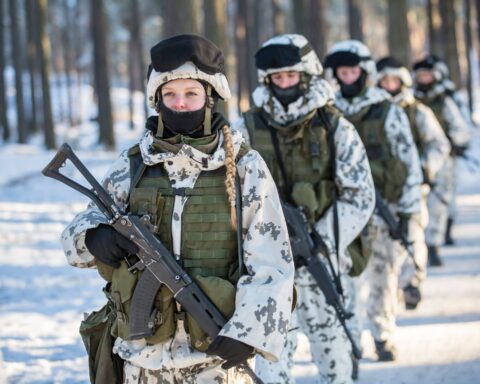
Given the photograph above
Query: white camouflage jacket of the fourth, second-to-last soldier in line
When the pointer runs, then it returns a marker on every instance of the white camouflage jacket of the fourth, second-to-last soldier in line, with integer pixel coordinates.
(435, 144)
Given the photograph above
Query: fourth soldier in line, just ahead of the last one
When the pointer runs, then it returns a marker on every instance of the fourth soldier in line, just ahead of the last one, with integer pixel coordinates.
(433, 148)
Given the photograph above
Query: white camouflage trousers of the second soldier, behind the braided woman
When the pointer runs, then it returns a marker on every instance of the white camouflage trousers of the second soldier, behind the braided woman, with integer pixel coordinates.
(329, 346)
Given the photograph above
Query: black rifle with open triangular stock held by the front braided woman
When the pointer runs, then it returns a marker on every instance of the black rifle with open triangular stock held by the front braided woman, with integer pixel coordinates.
(157, 263)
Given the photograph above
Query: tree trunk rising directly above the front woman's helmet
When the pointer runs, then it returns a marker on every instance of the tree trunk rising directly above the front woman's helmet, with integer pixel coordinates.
(181, 16)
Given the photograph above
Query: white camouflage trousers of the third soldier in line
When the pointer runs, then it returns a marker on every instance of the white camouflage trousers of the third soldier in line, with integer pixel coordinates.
(381, 280)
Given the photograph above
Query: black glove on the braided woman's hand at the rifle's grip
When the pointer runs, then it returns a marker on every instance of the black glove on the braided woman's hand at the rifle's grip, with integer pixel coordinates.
(108, 246)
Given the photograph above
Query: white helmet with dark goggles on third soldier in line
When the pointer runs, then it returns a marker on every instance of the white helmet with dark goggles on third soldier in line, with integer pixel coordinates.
(350, 53)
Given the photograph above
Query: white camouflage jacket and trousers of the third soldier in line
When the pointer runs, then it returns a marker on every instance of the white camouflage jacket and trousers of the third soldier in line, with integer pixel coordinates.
(381, 277)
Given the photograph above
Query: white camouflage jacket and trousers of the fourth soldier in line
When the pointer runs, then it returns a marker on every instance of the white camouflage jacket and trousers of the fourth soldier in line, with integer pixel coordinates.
(436, 150)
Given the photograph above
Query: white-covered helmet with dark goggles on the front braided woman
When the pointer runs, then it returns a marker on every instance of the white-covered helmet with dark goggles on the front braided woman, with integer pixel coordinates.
(186, 57)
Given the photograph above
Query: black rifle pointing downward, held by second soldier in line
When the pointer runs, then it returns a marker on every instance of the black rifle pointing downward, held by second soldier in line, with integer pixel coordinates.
(305, 248)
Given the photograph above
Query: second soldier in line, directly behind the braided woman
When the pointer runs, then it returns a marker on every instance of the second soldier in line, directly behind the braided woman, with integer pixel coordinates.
(319, 164)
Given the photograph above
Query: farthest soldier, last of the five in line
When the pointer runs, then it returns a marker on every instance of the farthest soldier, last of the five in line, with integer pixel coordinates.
(430, 88)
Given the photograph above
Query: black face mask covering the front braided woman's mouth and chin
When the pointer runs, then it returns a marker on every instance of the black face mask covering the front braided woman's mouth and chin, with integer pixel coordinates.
(183, 123)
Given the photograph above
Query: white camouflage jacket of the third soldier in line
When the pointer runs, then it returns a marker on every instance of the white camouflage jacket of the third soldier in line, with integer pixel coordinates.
(399, 135)
